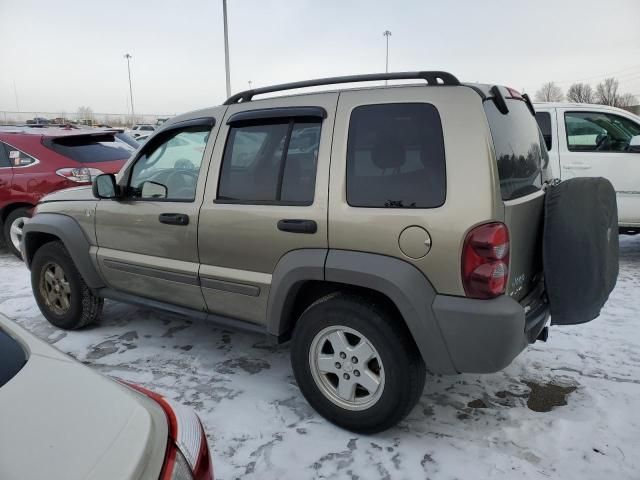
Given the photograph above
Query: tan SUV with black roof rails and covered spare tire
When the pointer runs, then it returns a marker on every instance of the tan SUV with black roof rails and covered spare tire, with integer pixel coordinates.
(386, 231)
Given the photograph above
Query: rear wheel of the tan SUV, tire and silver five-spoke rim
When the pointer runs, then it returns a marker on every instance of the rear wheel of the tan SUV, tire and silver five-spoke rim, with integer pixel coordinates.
(356, 364)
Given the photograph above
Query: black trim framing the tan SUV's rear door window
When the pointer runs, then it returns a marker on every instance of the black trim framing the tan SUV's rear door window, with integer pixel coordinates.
(291, 121)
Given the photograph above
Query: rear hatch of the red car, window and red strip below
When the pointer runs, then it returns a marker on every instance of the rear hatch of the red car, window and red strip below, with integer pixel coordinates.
(102, 151)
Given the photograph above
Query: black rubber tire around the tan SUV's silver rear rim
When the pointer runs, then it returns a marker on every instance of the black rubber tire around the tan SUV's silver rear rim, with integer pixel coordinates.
(404, 370)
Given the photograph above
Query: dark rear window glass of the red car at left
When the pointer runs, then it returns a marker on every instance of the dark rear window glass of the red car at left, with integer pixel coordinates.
(91, 148)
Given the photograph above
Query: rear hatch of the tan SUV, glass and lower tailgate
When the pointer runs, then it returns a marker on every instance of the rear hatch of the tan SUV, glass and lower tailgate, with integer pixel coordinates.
(522, 161)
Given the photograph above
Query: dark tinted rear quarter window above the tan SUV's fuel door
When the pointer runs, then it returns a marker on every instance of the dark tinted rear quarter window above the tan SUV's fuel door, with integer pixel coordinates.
(395, 156)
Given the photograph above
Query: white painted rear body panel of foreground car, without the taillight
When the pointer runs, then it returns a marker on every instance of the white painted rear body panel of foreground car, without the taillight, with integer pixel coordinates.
(61, 420)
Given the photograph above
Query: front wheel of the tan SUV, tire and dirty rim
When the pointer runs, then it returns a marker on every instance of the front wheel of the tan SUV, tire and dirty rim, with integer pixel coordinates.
(60, 291)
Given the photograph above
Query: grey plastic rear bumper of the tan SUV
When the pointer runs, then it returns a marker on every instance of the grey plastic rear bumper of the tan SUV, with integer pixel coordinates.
(484, 336)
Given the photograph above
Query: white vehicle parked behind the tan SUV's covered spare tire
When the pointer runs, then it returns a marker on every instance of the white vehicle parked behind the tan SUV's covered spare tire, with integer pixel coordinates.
(596, 141)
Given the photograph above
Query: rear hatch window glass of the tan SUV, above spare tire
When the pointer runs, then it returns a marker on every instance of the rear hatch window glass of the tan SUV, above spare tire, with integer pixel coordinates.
(521, 153)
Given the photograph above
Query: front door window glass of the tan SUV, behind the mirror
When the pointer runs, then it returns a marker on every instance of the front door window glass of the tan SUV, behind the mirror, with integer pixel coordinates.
(169, 168)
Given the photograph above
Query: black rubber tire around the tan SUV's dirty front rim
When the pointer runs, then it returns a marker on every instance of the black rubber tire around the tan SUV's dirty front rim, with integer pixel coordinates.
(84, 307)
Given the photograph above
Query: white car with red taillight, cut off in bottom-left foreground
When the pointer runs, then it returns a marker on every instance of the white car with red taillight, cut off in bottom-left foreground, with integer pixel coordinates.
(61, 420)
